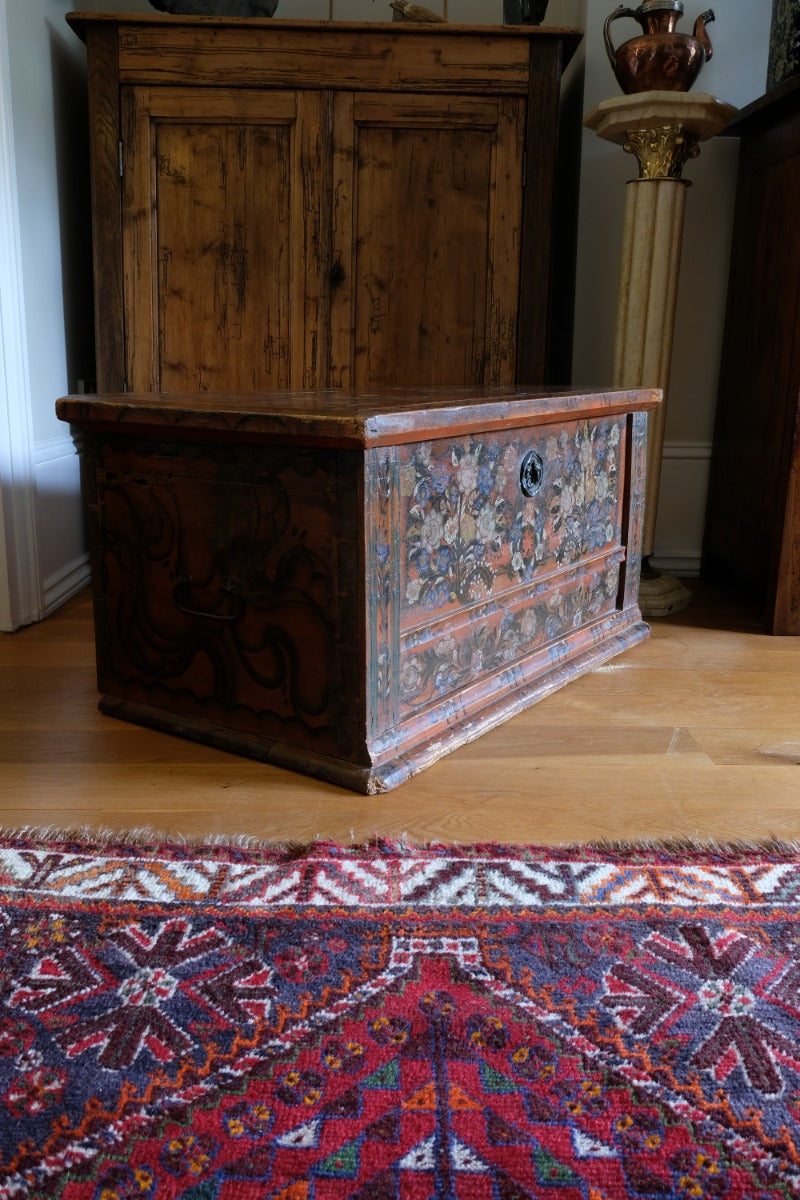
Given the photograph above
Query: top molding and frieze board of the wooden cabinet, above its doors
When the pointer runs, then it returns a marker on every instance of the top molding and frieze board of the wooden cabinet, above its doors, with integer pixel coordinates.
(220, 52)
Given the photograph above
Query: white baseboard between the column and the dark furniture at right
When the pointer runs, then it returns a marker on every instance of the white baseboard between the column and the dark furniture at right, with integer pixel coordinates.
(685, 469)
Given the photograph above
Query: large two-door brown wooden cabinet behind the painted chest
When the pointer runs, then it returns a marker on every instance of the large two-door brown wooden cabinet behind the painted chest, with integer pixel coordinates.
(308, 205)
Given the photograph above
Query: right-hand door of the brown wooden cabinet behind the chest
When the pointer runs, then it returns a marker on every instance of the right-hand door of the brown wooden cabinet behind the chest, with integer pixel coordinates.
(428, 214)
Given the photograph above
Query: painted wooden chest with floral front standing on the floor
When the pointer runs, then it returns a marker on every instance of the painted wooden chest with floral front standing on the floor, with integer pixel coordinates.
(352, 587)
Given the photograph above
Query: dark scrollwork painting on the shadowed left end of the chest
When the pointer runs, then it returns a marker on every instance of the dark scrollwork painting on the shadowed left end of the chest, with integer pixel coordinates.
(221, 587)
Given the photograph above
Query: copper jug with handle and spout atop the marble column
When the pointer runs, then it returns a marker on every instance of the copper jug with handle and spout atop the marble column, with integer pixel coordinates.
(659, 59)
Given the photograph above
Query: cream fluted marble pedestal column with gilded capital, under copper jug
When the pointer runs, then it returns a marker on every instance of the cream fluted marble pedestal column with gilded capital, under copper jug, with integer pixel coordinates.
(663, 129)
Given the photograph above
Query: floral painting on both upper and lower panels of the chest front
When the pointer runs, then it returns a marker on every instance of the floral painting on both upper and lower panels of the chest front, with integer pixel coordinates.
(473, 537)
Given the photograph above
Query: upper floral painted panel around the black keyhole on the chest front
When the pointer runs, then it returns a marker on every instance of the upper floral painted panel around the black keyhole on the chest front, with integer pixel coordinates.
(470, 530)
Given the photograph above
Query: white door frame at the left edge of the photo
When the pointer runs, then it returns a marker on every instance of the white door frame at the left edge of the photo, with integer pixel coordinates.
(21, 586)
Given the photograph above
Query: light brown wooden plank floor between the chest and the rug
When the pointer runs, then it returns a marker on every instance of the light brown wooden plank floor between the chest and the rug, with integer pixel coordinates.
(694, 734)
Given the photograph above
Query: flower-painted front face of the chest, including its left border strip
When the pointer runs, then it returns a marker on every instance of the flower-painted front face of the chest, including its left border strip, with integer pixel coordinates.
(494, 551)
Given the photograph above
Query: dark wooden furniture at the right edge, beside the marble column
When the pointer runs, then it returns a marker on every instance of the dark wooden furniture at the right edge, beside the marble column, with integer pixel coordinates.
(753, 536)
